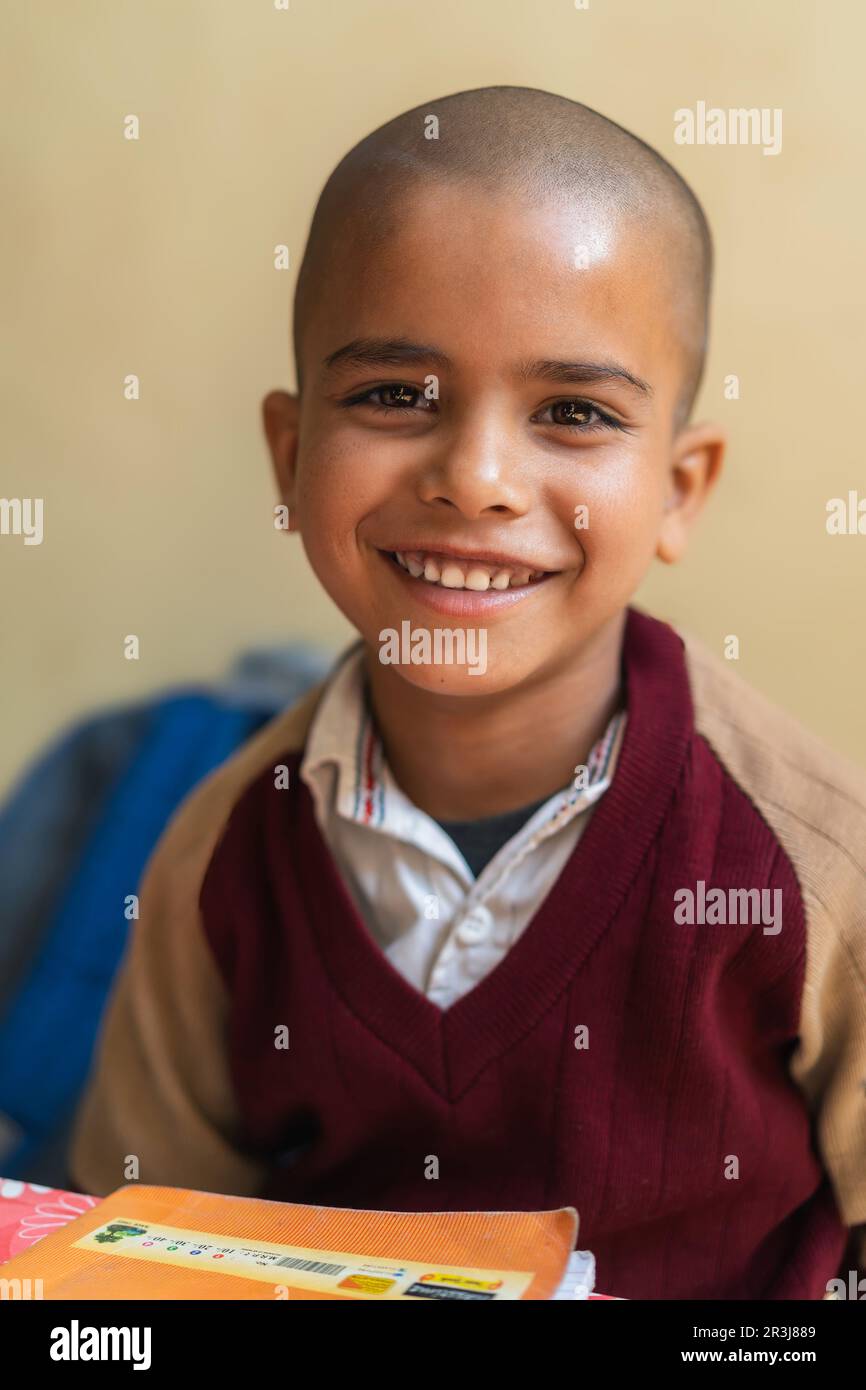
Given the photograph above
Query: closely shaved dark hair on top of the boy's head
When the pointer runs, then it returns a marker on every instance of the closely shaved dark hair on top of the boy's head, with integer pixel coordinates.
(537, 148)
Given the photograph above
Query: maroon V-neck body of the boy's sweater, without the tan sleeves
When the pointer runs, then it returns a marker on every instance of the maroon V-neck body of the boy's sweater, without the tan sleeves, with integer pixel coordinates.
(690, 1031)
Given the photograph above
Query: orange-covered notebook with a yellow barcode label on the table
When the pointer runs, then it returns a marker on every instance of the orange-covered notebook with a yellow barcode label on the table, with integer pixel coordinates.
(173, 1243)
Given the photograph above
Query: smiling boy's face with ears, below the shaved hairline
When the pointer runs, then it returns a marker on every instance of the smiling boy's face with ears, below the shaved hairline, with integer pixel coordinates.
(533, 372)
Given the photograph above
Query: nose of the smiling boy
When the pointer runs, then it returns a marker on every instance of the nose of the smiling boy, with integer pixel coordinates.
(476, 475)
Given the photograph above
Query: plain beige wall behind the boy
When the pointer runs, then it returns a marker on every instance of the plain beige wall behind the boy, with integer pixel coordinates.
(156, 258)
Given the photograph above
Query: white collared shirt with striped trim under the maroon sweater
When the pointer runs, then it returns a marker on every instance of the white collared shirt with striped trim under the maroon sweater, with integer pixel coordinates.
(439, 925)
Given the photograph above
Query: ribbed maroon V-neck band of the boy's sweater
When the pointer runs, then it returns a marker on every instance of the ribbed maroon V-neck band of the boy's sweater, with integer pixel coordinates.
(450, 1049)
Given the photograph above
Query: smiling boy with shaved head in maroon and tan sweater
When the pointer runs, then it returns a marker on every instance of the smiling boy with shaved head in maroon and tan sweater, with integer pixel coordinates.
(420, 945)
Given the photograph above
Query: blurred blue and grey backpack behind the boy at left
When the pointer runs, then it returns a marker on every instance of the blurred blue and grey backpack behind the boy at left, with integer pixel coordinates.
(74, 840)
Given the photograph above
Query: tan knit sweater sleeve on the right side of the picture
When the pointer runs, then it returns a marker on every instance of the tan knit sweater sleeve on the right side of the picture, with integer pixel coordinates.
(815, 803)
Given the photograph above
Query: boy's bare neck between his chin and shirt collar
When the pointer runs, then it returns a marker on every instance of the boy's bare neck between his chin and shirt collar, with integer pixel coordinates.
(464, 758)
